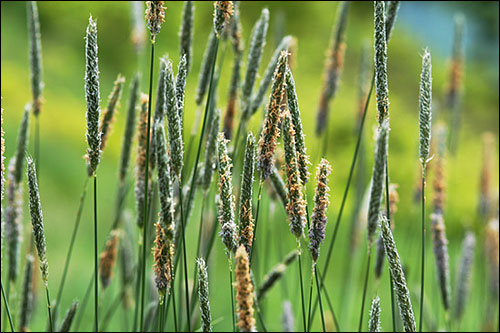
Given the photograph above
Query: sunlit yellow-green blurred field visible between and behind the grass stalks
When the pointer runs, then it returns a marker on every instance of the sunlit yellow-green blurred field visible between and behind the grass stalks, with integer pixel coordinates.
(63, 170)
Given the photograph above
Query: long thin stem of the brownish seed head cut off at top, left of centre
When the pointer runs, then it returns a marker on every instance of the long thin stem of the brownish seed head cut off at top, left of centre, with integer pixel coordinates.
(145, 219)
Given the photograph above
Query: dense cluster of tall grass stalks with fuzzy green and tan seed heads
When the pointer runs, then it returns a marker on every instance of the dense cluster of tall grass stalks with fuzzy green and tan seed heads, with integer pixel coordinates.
(257, 173)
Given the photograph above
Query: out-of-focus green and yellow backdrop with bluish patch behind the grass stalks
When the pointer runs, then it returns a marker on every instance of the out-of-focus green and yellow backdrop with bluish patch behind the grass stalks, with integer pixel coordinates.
(419, 25)
